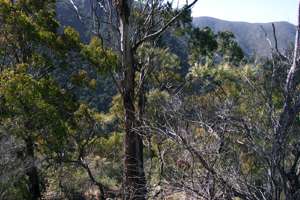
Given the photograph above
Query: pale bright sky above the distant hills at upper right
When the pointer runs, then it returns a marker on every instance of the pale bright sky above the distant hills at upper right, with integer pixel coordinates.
(248, 10)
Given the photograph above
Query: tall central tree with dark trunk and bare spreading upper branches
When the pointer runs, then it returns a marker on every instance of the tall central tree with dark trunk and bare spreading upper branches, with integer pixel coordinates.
(131, 24)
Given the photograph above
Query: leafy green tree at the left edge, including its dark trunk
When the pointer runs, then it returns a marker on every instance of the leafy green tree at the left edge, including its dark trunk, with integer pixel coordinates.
(35, 108)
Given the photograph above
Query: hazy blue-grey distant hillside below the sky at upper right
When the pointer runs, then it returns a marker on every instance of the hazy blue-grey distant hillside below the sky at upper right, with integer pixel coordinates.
(251, 36)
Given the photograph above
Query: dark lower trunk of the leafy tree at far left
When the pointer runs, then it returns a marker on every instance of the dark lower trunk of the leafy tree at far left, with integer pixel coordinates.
(32, 172)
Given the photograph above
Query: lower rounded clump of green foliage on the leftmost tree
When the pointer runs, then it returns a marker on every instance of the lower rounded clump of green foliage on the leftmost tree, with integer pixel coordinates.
(35, 108)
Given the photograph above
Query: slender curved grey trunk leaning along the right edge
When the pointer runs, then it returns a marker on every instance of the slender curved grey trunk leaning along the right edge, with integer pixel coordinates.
(286, 119)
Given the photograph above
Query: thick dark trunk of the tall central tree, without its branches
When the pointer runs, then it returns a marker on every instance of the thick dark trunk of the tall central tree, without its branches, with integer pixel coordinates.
(134, 177)
